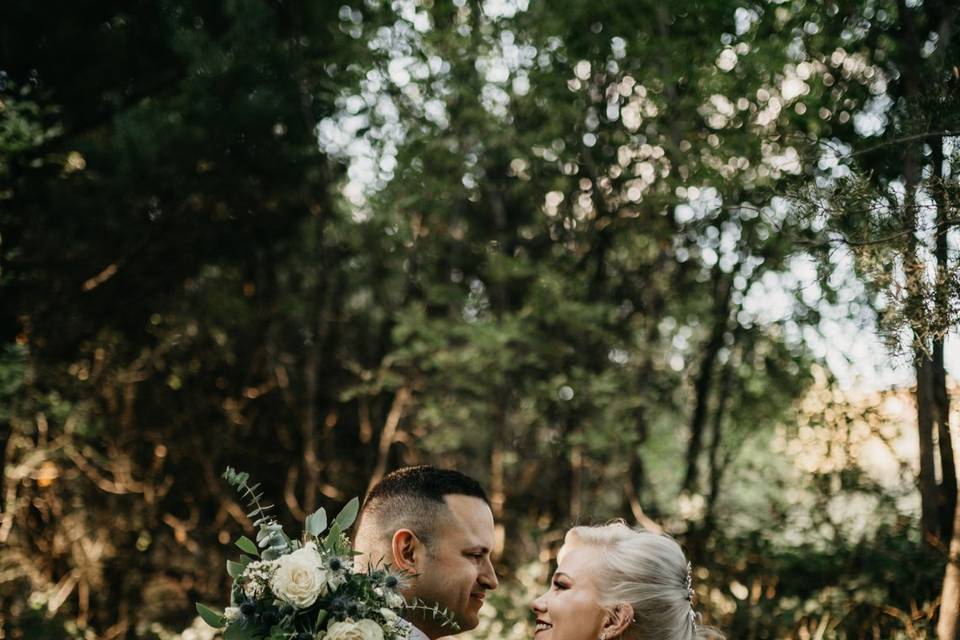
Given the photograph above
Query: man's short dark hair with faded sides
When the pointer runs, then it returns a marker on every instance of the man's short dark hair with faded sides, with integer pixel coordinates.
(413, 498)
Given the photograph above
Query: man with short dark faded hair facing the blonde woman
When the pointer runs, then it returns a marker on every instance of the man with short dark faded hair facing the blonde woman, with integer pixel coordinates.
(436, 525)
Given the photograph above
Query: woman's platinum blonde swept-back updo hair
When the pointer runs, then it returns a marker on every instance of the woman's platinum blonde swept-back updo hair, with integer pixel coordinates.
(648, 571)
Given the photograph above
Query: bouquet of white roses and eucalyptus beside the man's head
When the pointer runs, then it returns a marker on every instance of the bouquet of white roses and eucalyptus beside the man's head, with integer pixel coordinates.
(285, 589)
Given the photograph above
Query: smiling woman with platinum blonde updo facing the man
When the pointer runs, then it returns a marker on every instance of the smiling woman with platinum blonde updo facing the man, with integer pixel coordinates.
(615, 582)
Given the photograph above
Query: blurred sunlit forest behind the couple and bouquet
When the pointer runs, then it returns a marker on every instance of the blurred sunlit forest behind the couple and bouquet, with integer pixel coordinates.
(693, 264)
